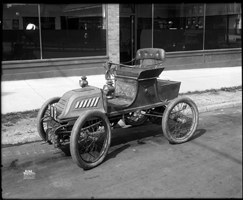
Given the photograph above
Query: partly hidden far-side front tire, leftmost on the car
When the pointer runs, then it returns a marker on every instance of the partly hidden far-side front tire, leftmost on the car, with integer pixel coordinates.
(40, 115)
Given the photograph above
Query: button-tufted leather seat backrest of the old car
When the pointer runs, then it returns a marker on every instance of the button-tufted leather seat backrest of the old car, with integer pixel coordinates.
(150, 57)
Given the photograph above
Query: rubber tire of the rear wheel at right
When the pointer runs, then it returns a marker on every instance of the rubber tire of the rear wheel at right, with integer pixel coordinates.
(165, 118)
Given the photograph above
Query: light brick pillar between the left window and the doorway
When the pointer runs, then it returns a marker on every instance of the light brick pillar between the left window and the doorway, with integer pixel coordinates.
(113, 32)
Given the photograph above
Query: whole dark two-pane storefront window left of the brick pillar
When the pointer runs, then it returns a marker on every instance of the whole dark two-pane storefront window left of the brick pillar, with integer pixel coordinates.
(42, 31)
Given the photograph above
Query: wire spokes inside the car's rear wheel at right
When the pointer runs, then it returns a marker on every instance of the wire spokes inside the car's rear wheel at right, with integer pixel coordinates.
(181, 120)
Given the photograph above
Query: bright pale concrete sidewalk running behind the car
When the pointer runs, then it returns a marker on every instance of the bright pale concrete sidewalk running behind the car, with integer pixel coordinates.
(26, 95)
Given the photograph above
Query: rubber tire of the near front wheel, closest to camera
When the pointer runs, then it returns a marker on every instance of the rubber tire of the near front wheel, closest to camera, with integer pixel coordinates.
(75, 134)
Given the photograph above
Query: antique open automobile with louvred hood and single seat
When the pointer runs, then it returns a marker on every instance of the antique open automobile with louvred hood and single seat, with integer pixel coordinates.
(80, 122)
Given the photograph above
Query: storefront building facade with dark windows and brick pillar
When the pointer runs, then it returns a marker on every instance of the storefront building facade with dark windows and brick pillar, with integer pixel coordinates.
(50, 40)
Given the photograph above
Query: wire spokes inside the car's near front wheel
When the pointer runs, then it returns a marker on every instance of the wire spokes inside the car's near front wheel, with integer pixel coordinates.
(92, 139)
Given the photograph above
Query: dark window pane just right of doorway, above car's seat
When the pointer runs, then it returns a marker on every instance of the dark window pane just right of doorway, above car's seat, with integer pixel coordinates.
(178, 27)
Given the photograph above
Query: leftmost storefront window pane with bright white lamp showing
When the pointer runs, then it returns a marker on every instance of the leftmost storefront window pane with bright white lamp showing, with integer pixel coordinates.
(20, 37)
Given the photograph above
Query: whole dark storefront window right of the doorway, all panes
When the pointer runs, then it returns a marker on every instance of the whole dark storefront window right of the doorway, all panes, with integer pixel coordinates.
(185, 27)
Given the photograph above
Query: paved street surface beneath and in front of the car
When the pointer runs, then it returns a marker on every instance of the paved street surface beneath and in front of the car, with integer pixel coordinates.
(141, 164)
